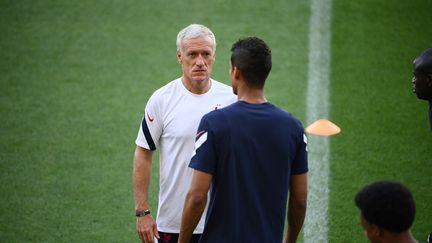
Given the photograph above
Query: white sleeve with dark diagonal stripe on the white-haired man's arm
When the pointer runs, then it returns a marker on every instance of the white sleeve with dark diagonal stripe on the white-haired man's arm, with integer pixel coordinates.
(152, 123)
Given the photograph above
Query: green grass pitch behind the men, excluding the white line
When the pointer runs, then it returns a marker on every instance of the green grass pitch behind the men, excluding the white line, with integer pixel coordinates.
(75, 77)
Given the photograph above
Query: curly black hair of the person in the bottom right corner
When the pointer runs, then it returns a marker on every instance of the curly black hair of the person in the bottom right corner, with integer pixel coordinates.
(387, 204)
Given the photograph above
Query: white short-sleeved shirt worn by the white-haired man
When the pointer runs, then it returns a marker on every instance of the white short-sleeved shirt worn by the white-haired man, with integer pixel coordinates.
(170, 122)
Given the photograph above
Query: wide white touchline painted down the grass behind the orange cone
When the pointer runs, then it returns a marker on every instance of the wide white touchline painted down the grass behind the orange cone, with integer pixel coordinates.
(316, 222)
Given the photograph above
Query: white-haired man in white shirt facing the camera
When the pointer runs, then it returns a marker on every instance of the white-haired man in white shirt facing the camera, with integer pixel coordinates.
(170, 121)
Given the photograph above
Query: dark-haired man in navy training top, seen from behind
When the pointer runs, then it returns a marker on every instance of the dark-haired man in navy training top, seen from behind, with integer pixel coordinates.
(250, 154)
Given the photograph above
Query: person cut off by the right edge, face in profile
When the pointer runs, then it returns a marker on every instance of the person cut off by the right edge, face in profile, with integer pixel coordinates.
(422, 80)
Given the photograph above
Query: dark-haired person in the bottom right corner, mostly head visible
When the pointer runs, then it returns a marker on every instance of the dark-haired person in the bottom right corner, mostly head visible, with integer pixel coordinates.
(387, 211)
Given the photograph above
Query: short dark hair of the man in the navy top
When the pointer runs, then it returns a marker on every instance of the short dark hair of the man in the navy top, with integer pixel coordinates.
(252, 56)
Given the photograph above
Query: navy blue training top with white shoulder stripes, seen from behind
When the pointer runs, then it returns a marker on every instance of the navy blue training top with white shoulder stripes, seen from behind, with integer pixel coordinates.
(251, 150)
